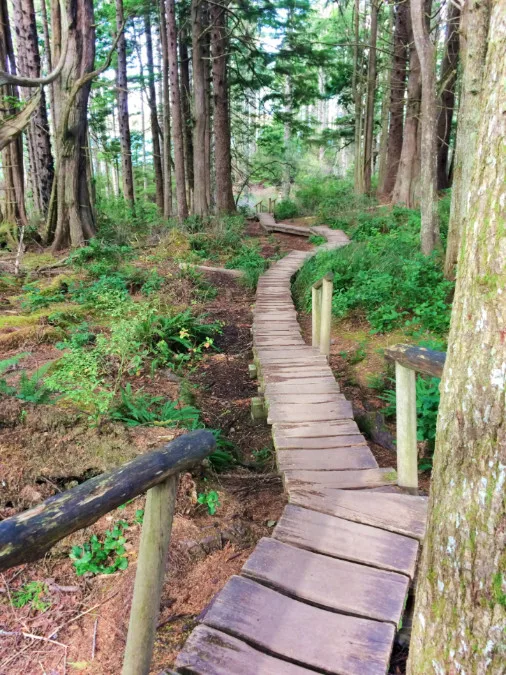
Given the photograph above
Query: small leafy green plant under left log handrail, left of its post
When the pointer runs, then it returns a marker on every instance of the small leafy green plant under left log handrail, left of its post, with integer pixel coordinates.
(102, 556)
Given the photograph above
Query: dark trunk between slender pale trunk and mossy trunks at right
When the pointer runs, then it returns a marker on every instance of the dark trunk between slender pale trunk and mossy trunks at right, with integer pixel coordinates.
(447, 81)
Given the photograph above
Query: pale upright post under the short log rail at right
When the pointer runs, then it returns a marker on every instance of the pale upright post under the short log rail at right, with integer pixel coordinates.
(407, 451)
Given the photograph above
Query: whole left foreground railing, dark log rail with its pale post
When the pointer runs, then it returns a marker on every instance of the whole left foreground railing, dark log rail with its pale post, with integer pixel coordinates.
(29, 535)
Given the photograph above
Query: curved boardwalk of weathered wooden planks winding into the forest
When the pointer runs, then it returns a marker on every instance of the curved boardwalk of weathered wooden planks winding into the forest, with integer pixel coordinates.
(327, 592)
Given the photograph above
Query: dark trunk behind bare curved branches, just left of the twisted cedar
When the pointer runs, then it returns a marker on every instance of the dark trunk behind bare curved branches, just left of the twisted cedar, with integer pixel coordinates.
(41, 159)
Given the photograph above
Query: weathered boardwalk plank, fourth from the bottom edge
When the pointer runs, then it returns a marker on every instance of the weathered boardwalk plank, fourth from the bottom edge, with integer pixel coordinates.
(347, 540)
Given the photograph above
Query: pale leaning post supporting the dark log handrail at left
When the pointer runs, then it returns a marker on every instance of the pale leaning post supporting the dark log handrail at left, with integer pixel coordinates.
(155, 538)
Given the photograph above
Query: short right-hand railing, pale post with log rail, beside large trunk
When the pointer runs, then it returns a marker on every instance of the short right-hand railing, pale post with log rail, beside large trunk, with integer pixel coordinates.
(410, 360)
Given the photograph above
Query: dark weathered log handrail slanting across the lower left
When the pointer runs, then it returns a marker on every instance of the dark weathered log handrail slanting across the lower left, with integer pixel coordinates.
(30, 534)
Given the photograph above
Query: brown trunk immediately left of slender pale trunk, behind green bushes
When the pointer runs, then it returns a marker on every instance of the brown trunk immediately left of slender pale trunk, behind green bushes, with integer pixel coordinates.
(408, 174)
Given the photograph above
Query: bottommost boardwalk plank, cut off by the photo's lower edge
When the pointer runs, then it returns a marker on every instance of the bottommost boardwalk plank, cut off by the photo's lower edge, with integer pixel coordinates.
(211, 652)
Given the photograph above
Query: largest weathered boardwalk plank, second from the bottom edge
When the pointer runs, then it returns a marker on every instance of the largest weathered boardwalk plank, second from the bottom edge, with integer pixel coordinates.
(300, 632)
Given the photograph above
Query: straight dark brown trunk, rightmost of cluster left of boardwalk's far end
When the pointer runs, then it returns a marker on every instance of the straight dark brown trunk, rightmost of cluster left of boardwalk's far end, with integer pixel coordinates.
(223, 165)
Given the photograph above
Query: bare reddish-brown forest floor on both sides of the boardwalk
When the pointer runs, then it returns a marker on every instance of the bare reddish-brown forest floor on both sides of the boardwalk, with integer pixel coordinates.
(81, 622)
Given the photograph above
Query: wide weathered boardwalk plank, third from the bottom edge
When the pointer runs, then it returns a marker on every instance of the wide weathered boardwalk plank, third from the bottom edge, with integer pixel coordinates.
(328, 582)
